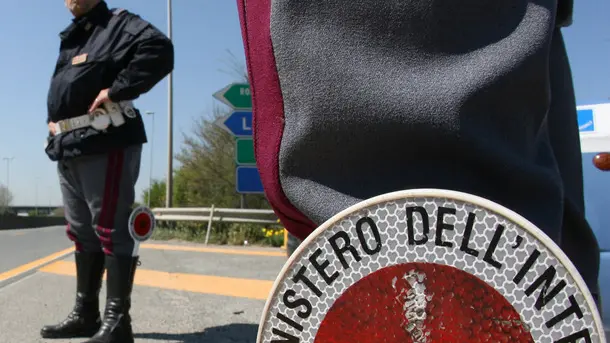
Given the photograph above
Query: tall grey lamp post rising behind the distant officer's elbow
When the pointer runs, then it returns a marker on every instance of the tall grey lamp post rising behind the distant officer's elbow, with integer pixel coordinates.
(170, 129)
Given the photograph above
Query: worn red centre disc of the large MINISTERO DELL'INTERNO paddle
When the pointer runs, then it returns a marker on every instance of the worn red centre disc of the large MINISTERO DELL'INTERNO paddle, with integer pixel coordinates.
(422, 302)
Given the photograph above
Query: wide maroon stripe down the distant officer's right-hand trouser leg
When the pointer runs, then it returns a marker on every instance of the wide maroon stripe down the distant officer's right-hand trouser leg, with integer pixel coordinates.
(105, 225)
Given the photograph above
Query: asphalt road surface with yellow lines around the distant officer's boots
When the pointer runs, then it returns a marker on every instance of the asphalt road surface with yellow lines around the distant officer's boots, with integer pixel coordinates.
(183, 292)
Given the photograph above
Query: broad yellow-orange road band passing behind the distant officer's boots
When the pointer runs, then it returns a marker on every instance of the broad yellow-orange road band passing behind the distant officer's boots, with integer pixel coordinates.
(233, 287)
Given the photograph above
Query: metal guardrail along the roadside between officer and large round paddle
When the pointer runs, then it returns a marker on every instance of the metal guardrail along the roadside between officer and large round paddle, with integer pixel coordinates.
(212, 214)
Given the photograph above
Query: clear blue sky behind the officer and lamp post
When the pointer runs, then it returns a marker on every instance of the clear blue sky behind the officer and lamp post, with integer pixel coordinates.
(203, 31)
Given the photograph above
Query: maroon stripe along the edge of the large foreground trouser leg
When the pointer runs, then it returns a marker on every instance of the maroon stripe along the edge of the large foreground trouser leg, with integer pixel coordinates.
(268, 111)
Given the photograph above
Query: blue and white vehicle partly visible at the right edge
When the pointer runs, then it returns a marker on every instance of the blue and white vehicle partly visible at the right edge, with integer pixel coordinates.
(594, 125)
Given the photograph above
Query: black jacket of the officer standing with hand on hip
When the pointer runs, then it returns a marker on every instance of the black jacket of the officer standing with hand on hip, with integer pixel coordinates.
(106, 48)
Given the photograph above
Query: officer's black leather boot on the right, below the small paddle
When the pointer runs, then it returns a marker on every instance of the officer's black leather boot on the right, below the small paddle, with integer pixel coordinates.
(116, 326)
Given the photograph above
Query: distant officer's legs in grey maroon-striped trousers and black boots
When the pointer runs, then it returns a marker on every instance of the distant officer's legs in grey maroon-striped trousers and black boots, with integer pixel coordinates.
(99, 192)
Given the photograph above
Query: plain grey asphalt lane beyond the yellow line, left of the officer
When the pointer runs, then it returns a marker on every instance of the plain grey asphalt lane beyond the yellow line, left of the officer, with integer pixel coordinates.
(19, 247)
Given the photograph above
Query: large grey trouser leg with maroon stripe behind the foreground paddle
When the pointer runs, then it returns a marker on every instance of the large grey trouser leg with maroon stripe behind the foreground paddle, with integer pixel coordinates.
(353, 99)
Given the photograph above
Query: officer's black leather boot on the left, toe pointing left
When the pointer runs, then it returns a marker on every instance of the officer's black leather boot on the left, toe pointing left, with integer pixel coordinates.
(84, 320)
